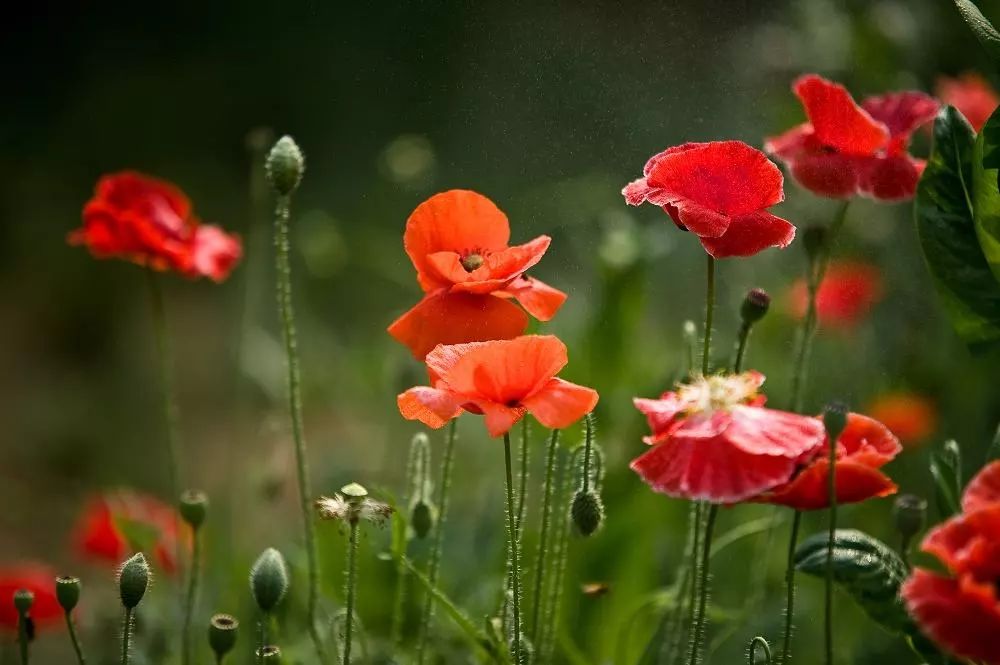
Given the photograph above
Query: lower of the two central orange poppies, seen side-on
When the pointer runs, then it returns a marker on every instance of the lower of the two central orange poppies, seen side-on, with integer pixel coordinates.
(501, 379)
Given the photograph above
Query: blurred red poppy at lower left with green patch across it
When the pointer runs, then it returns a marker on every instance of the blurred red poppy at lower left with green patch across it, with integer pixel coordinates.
(117, 524)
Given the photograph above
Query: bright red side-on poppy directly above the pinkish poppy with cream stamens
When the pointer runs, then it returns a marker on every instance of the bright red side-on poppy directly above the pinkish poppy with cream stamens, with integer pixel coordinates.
(720, 191)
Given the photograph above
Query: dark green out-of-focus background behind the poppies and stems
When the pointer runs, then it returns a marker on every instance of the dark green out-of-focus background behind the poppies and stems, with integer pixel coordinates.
(547, 108)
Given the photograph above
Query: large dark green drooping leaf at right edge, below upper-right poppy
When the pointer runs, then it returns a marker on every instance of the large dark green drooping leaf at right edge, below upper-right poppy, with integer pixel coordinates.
(943, 211)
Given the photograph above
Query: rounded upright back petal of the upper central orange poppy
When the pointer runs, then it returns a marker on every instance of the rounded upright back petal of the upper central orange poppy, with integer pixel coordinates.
(459, 221)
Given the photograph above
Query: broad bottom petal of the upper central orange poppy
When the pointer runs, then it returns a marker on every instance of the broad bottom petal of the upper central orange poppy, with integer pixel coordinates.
(453, 318)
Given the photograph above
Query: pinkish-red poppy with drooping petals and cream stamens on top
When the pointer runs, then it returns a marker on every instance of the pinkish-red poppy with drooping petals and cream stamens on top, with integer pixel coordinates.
(714, 440)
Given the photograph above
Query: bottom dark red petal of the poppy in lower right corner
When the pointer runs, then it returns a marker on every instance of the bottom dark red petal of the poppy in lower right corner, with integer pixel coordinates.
(962, 622)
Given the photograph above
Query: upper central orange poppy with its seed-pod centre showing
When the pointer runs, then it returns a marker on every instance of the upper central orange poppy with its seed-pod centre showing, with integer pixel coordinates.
(458, 243)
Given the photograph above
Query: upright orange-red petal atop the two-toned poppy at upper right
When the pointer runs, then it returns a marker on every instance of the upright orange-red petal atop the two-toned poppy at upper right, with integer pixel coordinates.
(837, 120)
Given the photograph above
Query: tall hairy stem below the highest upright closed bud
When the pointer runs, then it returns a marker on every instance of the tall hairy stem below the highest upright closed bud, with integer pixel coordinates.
(284, 277)
